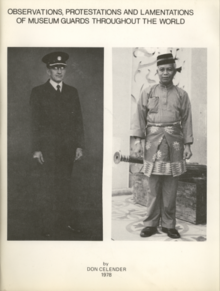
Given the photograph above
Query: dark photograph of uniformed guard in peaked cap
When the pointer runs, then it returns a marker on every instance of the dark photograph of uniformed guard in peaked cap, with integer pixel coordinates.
(55, 143)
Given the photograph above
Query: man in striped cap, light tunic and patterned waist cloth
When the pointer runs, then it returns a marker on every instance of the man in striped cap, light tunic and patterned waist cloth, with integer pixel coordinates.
(163, 119)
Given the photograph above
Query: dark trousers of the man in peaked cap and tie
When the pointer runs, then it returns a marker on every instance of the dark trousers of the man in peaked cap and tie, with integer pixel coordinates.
(54, 196)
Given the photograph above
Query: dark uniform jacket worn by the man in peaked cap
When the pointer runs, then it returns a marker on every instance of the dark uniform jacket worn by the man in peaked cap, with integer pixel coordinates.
(56, 120)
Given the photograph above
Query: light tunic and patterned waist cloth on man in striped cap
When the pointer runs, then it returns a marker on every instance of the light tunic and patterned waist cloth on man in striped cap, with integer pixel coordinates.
(163, 118)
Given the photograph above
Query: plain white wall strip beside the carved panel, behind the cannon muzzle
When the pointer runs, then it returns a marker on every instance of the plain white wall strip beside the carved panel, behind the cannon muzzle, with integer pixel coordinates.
(122, 66)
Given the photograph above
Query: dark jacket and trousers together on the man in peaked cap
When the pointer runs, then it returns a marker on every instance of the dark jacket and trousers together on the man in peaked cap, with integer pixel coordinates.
(57, 131)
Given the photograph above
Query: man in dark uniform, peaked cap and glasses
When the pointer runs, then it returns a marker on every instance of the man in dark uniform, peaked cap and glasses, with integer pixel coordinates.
(57, 141)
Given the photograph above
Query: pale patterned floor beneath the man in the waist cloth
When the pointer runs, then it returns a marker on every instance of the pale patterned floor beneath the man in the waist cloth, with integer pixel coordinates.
(127, 222)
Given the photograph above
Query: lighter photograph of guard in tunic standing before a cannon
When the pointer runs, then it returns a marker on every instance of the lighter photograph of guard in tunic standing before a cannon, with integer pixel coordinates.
(160, 144)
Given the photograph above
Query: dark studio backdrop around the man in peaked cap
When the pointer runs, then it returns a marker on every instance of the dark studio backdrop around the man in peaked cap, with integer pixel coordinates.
(85, 72)
